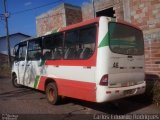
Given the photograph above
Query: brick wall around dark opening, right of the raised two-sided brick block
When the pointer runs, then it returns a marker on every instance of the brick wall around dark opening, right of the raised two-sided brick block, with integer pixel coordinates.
(142, 13)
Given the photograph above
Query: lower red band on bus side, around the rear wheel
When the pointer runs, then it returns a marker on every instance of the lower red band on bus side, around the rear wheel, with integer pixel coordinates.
(72, 88)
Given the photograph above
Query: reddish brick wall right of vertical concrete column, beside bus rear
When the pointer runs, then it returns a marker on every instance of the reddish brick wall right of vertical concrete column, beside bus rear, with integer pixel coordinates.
(146, 15)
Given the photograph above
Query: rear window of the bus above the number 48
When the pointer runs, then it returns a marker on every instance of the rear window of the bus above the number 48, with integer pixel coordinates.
(124, 39)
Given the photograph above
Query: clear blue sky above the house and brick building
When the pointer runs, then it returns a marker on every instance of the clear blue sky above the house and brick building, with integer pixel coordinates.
(26, 22)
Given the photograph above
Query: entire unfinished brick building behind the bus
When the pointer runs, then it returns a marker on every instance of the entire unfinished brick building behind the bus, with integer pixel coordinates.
(143, 13)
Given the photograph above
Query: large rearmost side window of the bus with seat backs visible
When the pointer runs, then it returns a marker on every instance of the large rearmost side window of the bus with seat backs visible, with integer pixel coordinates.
(80, 43)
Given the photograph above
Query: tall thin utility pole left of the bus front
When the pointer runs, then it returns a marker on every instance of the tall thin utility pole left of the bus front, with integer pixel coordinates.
(6, 15)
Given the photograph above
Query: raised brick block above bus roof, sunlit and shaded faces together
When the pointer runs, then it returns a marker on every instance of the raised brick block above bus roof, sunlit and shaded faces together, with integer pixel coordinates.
(61, 16)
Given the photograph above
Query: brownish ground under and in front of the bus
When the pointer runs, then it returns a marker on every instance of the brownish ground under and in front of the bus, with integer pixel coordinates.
(30, 103)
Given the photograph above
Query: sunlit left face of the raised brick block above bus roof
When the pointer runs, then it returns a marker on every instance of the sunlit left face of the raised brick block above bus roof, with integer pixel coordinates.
(50, 21)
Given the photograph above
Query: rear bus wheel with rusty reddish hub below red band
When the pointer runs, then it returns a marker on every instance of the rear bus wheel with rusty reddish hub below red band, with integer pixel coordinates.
(52, 93)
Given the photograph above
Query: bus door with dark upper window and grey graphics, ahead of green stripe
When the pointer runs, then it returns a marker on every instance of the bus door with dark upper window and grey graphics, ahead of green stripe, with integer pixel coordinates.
(33, 67)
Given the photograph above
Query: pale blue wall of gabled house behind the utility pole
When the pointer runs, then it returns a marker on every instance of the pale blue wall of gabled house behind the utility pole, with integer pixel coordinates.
(14, 39)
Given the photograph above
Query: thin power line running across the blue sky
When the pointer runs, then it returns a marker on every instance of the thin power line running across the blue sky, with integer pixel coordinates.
(26, 10)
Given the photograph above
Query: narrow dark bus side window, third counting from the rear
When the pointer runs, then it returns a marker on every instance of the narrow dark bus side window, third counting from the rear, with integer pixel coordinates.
(35, 49)
